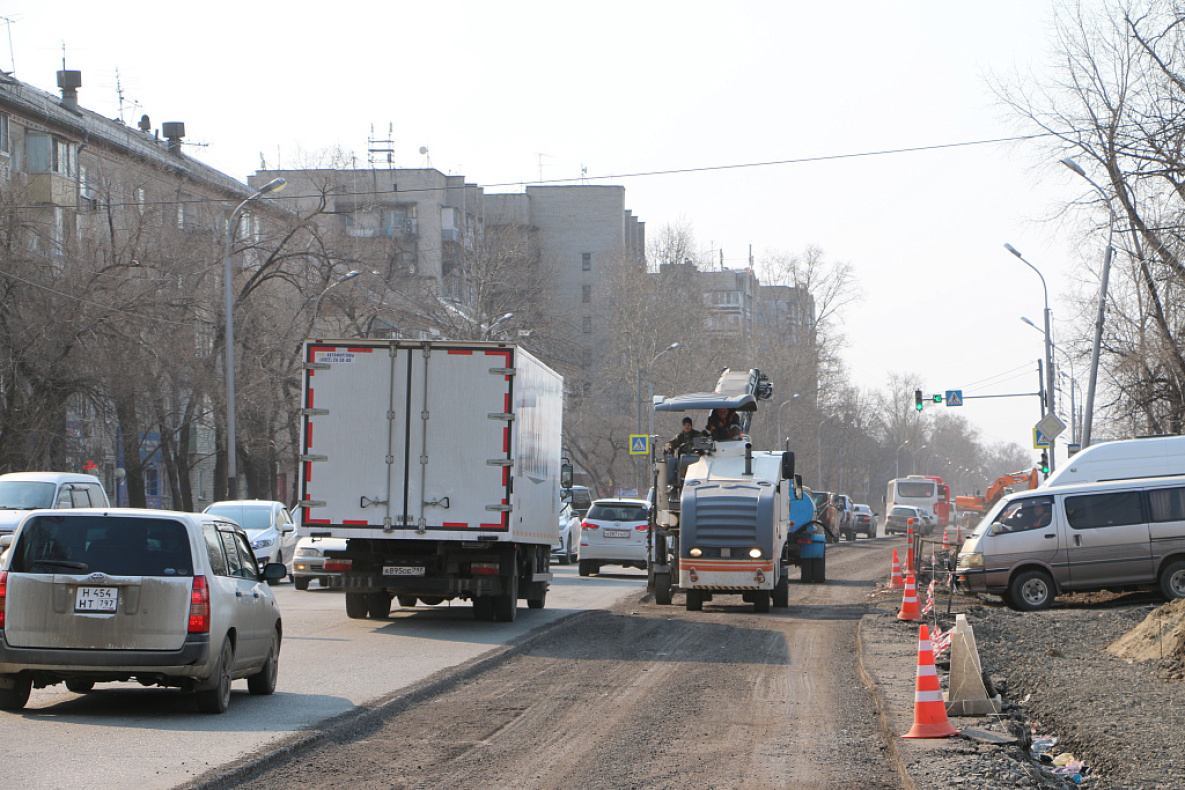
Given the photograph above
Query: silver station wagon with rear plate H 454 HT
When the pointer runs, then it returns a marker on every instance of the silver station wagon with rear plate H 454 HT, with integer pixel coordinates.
(163, 599)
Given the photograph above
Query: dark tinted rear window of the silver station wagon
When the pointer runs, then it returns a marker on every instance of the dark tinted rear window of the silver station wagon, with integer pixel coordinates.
(113, 545)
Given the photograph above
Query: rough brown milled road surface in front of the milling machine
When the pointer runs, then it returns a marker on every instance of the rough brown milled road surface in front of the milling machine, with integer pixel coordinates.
(643, 697)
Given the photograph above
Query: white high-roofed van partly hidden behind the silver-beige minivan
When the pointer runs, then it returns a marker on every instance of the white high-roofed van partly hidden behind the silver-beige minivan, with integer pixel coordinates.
(1157, 457)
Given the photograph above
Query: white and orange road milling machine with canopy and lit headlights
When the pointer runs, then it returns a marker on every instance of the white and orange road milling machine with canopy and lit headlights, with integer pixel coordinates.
(723, 517)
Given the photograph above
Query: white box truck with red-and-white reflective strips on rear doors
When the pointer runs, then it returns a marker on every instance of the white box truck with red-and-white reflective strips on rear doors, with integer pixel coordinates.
(440, 465)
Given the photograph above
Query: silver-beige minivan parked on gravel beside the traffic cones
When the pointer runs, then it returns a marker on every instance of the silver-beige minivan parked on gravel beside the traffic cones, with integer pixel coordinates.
(1035, 545)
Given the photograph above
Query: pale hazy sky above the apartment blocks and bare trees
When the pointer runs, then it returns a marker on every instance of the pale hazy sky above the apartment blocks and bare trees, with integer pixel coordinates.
(507, 93)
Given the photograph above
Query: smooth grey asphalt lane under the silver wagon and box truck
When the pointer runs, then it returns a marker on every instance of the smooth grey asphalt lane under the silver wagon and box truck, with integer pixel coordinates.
(123, 735)
